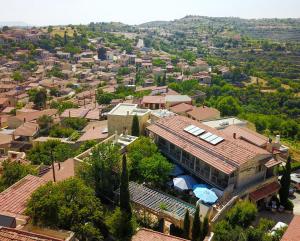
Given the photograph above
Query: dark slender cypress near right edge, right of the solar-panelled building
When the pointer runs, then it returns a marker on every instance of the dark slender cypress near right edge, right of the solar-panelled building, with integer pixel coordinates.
(285, 183)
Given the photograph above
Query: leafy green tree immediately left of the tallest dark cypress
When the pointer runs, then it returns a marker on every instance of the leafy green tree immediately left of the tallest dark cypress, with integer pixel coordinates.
(100, 171)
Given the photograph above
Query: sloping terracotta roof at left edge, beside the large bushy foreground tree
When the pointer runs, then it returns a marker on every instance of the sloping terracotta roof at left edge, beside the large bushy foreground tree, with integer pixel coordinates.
(13, 200)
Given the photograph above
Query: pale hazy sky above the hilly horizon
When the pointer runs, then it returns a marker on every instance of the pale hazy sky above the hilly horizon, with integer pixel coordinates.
(45, 12)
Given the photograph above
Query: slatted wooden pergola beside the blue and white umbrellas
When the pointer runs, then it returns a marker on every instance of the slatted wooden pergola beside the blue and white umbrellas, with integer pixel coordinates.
(152, 201)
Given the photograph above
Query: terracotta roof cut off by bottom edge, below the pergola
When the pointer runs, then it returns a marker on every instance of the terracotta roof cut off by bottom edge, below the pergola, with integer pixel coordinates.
(150, 235)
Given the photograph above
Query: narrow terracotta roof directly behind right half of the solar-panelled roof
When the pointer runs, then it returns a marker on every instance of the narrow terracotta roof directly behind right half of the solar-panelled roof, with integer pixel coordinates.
(246, 134)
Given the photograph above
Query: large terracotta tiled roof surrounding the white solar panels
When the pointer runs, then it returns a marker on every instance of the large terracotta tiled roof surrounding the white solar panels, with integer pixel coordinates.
(226, 156)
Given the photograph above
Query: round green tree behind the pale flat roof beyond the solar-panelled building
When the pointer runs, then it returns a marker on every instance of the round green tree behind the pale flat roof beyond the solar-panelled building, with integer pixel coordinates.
(228, 106)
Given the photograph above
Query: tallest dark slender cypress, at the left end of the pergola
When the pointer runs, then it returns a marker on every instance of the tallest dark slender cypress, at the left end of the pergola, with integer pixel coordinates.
(124, 189)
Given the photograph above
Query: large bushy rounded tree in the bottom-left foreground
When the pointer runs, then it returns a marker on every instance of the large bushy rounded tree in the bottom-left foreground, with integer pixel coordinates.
(67, 205)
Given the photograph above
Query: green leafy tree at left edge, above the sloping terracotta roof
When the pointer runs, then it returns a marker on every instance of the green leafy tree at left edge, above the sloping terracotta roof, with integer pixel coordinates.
(13, 172)
